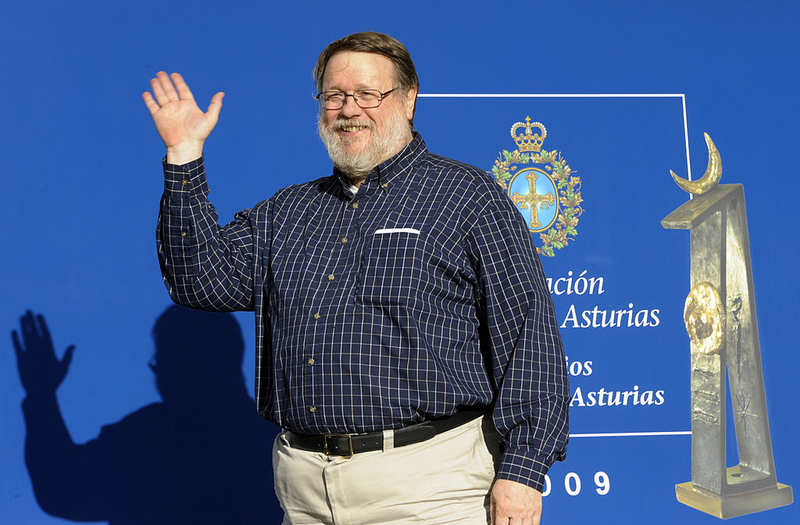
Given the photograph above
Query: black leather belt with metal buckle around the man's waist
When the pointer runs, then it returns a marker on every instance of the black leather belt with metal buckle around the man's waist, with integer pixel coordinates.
(345, 445)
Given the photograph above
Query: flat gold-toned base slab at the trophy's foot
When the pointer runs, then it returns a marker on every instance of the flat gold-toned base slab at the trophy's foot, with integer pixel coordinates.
(732, 506)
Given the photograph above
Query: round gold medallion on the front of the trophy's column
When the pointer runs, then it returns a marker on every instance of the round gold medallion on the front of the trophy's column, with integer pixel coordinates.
(704, 316)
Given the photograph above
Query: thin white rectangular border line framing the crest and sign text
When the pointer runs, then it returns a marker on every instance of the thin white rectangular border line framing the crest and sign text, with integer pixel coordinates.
(682, 96)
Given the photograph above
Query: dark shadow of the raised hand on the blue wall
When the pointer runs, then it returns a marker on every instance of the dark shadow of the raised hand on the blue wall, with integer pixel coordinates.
(40, 370)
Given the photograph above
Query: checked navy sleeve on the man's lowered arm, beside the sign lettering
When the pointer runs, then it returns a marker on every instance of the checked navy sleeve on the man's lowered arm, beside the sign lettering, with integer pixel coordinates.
(521, 340)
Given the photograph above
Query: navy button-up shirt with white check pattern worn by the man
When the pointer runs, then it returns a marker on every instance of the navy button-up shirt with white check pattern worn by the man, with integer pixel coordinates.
(417, 295)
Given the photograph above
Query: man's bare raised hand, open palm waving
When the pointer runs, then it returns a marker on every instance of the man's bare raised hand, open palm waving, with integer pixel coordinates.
(180, 122)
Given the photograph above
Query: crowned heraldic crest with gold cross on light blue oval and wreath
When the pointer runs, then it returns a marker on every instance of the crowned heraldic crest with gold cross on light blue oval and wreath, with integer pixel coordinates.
(546, 192)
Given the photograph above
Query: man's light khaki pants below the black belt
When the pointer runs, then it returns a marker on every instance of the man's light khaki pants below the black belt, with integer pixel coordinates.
(445, 479)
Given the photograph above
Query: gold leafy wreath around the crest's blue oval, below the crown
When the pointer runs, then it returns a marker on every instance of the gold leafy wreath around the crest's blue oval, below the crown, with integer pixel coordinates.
(569, 193)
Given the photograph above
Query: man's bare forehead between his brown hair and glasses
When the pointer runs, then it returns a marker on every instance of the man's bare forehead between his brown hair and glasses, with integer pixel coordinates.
(356, 70)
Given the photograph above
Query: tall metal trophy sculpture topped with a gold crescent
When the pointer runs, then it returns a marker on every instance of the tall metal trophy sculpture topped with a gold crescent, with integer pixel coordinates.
(720, 318)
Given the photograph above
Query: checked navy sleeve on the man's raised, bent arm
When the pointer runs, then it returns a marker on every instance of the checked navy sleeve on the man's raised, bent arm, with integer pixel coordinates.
(204, 265)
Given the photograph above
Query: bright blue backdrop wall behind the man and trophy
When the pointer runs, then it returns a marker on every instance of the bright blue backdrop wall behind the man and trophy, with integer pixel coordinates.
(81, 184)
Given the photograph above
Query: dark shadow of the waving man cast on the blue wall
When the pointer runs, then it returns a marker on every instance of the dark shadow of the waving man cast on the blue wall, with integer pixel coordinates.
(201, 455)
